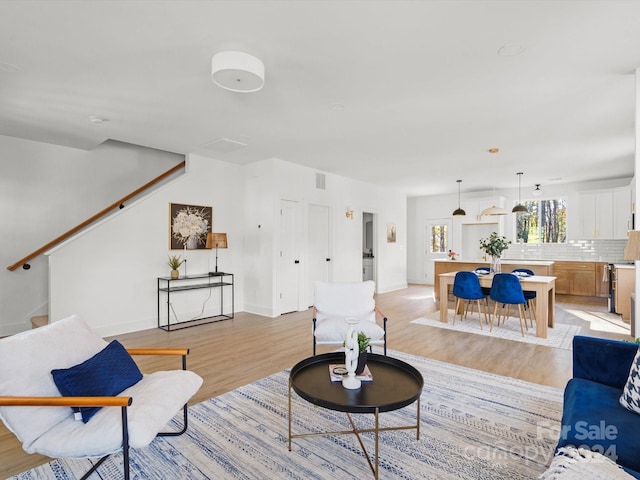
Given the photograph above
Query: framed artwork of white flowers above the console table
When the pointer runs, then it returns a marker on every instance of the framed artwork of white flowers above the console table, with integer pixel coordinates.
(188, 226)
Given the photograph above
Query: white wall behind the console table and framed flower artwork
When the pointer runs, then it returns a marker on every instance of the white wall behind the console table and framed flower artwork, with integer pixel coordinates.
(107, 275)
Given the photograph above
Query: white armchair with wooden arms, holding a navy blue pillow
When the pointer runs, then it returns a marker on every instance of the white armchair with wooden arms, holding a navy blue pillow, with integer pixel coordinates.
(32, 407)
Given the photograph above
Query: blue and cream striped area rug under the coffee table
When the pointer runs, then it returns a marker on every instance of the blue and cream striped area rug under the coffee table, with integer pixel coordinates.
(474, 425)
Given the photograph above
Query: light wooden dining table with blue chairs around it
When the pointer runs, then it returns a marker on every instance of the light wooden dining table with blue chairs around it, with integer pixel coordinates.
(545, 288)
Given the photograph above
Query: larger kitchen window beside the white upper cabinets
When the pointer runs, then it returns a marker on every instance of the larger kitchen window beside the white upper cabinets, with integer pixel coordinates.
(545, 223)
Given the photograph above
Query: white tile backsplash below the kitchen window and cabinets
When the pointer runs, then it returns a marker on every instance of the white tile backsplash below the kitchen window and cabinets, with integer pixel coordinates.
(610, 251)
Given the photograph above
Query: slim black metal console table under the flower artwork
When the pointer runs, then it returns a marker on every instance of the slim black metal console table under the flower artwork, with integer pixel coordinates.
(168, 286)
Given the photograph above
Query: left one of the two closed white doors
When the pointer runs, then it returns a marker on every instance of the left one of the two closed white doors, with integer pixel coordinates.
(289, 268)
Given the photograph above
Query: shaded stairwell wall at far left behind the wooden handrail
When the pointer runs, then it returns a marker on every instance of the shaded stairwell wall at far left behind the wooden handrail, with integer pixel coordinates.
(44, 191)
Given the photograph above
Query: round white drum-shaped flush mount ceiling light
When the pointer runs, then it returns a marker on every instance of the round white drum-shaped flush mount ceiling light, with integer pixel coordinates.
(237, 71)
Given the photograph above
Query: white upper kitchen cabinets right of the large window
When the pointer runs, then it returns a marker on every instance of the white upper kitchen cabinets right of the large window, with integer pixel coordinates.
(605, 214)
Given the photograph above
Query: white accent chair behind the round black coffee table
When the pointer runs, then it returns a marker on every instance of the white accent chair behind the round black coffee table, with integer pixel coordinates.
(336, 301)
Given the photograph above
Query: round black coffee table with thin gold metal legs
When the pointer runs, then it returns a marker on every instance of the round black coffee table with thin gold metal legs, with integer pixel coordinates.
(395, 385)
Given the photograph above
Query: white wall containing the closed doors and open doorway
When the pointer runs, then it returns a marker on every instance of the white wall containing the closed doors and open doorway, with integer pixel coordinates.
(273, 180)
